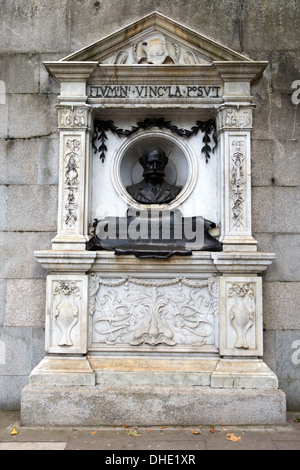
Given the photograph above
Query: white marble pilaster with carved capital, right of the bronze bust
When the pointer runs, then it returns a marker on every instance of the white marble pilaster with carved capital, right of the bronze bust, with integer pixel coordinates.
(234, 124)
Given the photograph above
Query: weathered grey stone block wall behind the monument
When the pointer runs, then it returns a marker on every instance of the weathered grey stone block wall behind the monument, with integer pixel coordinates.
(33, 31)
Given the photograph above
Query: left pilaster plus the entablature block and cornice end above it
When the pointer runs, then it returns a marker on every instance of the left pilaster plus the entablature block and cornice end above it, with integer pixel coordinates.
(74, 126)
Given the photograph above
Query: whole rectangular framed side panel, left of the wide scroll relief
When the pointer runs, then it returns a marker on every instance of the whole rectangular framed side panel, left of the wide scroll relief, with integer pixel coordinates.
(66, 322)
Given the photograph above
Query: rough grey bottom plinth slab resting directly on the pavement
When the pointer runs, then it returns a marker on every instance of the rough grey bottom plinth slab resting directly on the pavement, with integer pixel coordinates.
(150, 406)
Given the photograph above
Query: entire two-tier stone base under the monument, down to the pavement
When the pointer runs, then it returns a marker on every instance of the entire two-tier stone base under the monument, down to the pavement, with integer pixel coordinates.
(143, 391)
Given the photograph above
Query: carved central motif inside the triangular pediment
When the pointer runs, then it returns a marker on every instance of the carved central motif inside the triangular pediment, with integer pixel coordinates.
(153, 50)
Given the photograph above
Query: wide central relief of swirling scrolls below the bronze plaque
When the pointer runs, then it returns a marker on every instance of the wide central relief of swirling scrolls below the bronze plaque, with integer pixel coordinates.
(170, 312)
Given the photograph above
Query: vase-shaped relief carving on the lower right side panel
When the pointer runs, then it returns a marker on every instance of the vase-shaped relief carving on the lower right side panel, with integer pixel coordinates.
(242, 311)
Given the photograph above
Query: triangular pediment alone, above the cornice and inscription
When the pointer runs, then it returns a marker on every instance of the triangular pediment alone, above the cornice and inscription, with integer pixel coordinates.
(156, 39)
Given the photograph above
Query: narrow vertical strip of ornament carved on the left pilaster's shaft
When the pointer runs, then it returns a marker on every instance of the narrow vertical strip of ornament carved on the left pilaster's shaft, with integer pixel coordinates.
(71, 181)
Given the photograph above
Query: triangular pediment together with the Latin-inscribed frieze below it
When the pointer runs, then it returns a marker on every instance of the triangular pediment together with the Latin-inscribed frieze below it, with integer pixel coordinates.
(155, 59)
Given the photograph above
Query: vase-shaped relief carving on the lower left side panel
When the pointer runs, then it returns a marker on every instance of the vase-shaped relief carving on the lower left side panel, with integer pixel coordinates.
(66, 310)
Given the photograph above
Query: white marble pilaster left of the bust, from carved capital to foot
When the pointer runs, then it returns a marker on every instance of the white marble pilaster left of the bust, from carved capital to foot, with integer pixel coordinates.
(74, 128)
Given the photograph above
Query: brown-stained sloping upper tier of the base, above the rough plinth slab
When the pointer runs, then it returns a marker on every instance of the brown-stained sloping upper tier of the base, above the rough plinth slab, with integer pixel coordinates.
(106, 371)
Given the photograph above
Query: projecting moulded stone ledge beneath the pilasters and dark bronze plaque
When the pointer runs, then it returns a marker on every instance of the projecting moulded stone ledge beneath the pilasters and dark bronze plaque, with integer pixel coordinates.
(65, 260)
